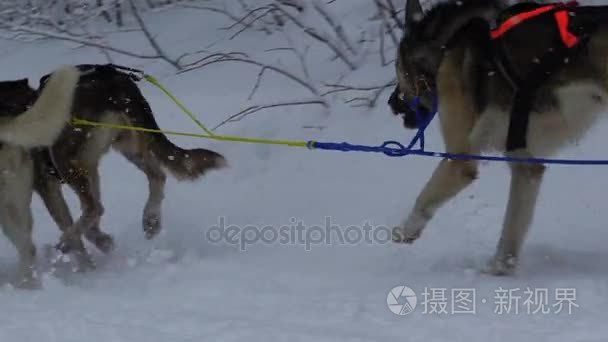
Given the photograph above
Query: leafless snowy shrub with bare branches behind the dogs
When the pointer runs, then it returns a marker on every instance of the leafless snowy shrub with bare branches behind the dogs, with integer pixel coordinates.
(297, 26)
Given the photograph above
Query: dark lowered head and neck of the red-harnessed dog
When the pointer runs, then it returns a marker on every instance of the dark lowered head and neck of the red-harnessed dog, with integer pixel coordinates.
(421, 50)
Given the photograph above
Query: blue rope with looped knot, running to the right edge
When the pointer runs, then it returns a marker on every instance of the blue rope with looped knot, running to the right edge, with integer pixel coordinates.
(396, 149)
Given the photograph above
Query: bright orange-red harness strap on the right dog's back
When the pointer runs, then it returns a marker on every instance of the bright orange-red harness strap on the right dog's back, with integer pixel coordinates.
(561, 16)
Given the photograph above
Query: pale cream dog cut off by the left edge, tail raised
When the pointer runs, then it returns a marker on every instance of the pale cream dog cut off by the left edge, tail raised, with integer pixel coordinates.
(21, 129)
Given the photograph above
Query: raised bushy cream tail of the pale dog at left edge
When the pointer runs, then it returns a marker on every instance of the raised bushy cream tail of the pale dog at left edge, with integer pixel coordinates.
(42, 123)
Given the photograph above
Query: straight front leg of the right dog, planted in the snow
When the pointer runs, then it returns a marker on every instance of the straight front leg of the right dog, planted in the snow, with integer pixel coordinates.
(526, 179)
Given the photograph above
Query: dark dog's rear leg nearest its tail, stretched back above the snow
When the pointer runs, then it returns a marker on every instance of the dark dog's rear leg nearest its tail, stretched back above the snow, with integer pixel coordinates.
(131, 147)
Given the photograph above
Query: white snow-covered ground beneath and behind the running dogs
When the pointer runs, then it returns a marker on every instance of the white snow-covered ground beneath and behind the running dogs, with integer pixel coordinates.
(185, 286)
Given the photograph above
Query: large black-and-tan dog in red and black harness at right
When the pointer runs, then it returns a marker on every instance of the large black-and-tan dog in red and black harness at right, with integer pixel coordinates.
(445, 52)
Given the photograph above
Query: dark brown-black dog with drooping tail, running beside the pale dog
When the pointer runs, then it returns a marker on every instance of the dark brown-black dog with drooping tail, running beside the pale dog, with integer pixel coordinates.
(107, 95)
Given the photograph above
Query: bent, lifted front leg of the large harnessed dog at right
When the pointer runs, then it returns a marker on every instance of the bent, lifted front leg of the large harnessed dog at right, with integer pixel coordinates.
(449, 178)
